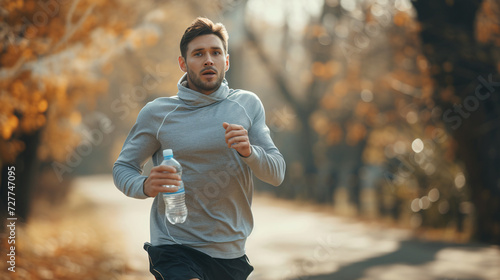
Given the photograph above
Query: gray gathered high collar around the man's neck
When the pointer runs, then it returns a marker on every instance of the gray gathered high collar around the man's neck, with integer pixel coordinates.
(198, 99)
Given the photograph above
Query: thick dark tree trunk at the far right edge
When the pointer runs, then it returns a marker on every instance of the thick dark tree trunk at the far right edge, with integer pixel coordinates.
(461, 65)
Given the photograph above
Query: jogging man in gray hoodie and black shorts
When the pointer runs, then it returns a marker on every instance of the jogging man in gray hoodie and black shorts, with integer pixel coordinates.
(220, 138)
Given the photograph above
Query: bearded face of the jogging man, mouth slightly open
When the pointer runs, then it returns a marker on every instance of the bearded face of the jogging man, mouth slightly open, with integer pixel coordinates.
(205, 63)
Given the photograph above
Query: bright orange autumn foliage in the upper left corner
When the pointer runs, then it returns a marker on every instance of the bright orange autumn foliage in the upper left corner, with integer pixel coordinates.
(40, 85)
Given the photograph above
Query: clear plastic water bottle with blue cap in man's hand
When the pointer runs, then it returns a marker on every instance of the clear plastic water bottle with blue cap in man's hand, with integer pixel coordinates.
(175, 203)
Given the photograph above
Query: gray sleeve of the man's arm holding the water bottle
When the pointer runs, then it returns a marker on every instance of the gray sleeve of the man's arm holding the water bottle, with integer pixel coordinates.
(140, 145)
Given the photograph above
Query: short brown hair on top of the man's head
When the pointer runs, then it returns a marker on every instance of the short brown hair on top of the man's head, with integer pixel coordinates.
(203, 26)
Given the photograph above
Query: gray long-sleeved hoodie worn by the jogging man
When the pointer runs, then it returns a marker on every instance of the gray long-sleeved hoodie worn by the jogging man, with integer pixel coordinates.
(217, 180)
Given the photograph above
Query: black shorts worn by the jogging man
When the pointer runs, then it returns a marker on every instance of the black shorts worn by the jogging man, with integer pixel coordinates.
(178, 262)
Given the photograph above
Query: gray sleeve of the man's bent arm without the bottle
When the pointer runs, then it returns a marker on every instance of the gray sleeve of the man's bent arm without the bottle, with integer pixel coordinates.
(266, 161)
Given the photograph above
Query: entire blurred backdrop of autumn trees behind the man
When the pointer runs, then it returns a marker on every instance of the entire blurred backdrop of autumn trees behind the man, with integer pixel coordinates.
(357, 94)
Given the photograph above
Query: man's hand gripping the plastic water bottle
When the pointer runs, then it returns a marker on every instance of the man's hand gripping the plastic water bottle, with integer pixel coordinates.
(158, 177)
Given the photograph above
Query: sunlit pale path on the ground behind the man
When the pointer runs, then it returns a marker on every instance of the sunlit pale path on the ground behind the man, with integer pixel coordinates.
(293, 241)
